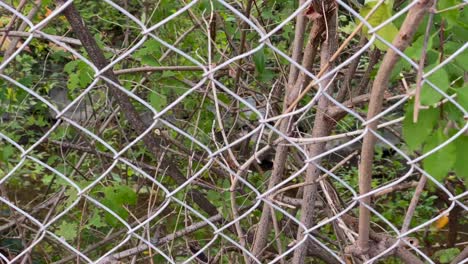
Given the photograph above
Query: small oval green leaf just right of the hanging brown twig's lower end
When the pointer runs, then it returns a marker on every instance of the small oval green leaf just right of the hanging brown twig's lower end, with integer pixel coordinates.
(440, 79)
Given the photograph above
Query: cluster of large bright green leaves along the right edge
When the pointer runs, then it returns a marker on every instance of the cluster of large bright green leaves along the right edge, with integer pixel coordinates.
(435, 123)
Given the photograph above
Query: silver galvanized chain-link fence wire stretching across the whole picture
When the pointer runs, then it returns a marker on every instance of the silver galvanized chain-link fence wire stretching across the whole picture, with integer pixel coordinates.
(263, 118)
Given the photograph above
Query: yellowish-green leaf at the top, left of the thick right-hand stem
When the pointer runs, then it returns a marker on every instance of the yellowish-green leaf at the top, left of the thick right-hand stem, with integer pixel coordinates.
(383, 12)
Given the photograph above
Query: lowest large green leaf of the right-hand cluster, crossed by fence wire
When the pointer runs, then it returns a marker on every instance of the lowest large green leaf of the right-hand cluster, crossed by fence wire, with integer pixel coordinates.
(441, 162)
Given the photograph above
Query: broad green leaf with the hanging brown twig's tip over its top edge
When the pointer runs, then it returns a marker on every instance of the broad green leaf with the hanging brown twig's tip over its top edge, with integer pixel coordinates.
(415, 134)
